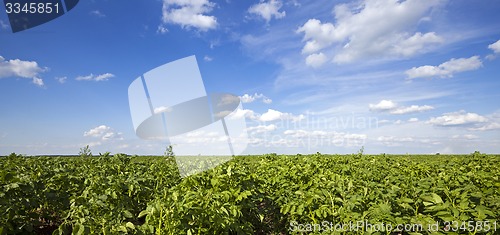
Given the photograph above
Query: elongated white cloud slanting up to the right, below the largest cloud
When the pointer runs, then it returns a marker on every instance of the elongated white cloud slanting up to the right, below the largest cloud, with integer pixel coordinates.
(446, 69)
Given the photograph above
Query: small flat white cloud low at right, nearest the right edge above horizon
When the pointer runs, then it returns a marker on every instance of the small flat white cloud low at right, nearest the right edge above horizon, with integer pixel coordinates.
(457, 118)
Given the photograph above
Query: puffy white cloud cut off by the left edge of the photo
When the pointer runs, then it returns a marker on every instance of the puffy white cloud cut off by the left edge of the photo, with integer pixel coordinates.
(22, 69)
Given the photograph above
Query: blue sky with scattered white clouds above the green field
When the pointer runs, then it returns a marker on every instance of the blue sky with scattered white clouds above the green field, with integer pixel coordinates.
(331, 76)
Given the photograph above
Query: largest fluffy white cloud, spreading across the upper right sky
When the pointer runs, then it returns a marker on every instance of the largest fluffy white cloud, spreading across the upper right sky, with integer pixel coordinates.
(371, 29)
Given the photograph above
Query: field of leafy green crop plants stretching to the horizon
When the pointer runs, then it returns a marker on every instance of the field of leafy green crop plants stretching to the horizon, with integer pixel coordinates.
(268, 194)
